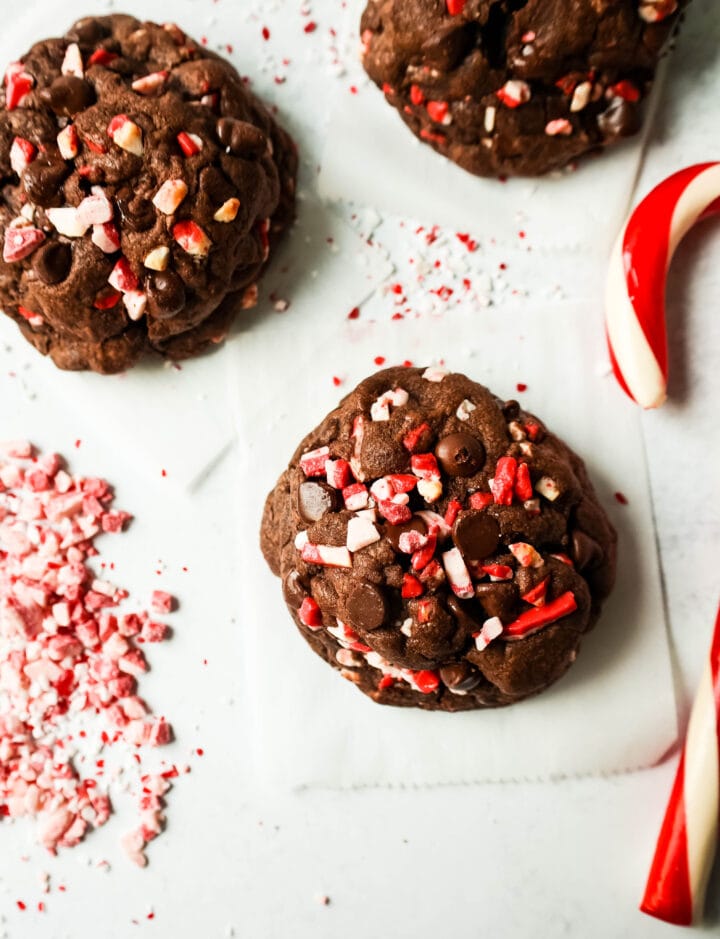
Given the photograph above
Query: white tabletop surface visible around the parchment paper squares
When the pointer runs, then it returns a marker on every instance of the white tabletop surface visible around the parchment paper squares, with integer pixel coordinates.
(508, 861)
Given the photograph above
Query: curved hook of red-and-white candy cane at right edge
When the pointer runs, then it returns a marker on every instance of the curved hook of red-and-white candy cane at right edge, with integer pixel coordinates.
(635, 288)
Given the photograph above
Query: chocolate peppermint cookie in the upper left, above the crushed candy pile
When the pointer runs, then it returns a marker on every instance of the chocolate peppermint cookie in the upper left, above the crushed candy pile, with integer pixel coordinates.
(142, 189)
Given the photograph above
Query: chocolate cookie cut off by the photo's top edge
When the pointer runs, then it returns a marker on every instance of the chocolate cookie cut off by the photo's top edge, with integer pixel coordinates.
(516, 86)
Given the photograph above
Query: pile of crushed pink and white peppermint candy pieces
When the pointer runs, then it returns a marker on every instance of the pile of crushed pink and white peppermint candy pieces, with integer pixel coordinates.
(67, 656)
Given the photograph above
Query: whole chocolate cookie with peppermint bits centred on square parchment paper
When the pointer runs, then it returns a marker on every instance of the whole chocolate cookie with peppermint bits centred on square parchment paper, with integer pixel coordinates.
(438, 547)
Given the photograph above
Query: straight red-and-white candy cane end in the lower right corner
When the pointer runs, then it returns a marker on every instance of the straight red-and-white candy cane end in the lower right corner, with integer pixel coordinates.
(686, 845)
